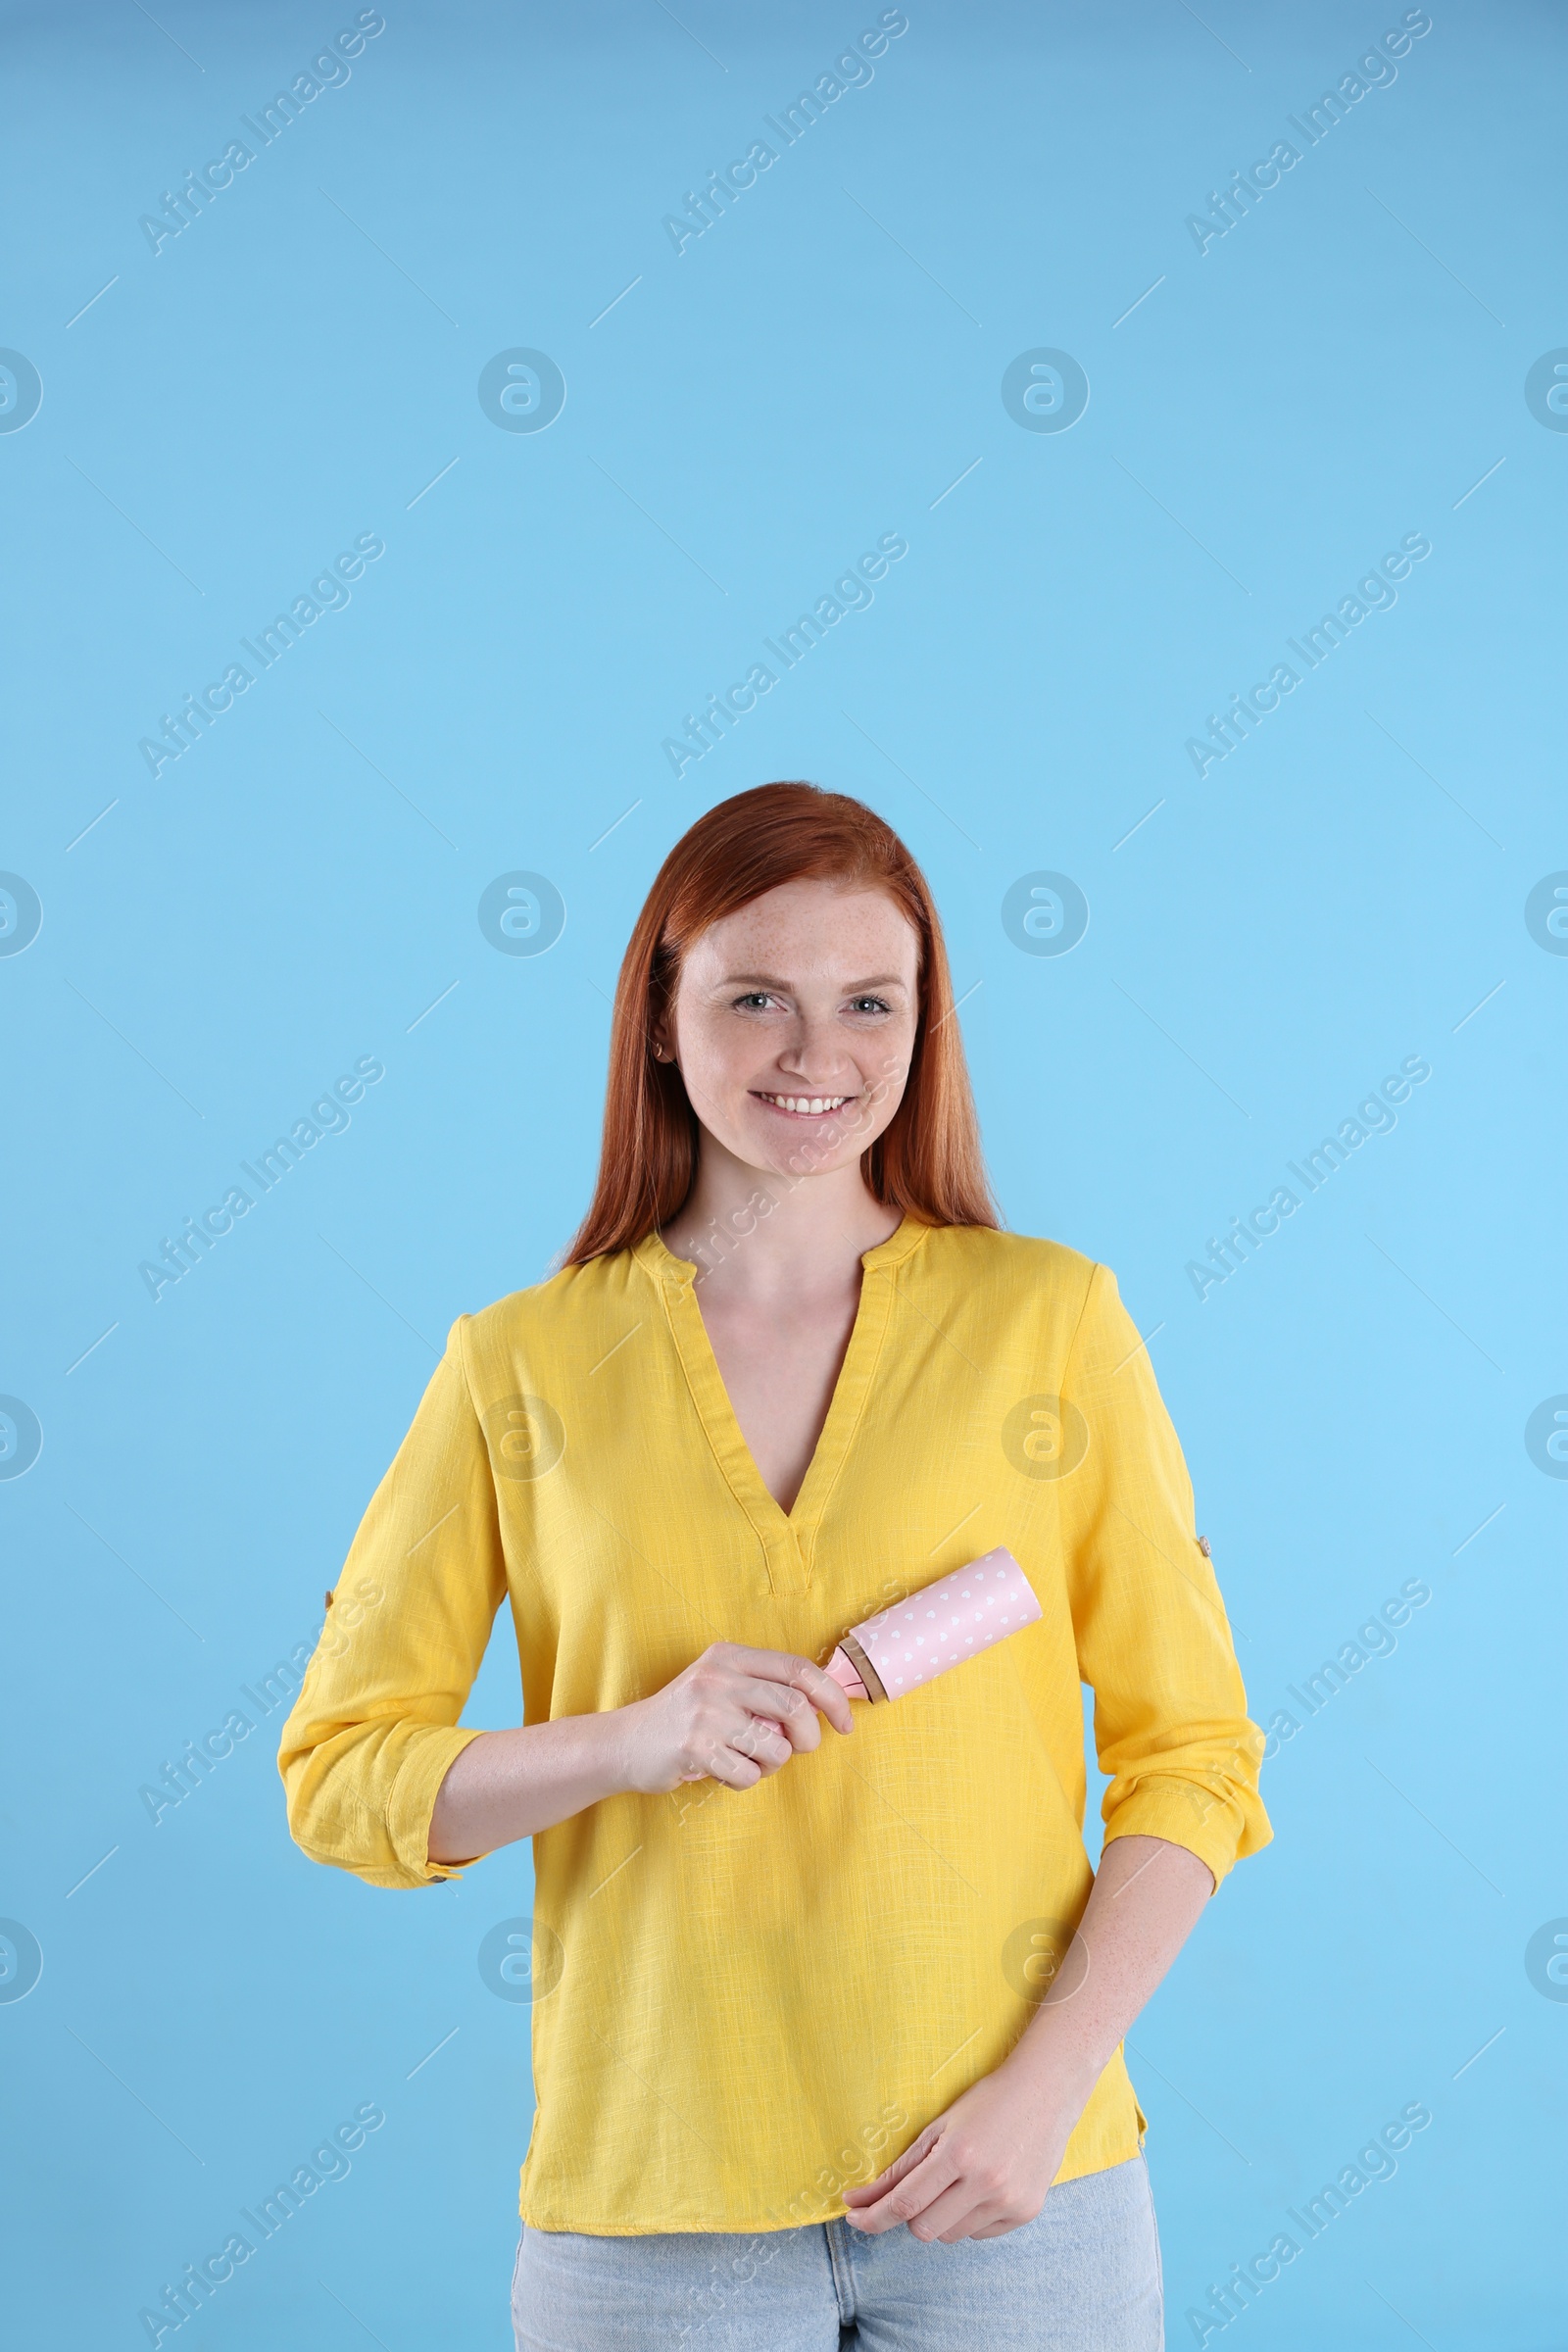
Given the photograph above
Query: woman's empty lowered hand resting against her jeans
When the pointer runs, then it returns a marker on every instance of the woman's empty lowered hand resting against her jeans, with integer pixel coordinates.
(979, 2170)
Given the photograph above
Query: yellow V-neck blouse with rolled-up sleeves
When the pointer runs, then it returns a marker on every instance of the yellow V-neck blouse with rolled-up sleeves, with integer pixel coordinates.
(751, 1998)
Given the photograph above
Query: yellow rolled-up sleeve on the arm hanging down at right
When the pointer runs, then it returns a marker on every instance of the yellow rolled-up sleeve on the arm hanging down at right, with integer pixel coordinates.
(1153, 1636)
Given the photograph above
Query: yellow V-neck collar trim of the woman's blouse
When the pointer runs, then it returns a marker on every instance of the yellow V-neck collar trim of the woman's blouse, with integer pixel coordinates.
(789, 1537)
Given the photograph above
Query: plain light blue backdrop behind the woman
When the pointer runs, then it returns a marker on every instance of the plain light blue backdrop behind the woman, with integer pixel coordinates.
(300, 888)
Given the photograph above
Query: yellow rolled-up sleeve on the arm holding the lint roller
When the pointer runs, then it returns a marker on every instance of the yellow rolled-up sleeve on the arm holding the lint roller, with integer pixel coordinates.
(375, 1728)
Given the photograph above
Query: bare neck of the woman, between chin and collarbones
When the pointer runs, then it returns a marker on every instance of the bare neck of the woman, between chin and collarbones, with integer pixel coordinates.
(758, 1234)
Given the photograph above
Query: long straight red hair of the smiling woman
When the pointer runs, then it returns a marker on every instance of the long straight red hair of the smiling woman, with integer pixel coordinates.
(927, 1161)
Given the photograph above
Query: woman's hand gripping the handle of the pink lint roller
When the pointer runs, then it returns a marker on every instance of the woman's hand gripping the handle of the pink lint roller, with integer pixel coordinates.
(732, 1716)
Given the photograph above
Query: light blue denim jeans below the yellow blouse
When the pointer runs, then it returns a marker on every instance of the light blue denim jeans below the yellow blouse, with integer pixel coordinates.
(1080, 2278)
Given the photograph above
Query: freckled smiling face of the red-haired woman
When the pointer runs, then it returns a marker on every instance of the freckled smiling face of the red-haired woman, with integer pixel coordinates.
(793, 1024)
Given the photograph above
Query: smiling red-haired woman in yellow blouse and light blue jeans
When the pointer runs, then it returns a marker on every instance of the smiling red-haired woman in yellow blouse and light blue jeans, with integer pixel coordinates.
(822, 2017)
